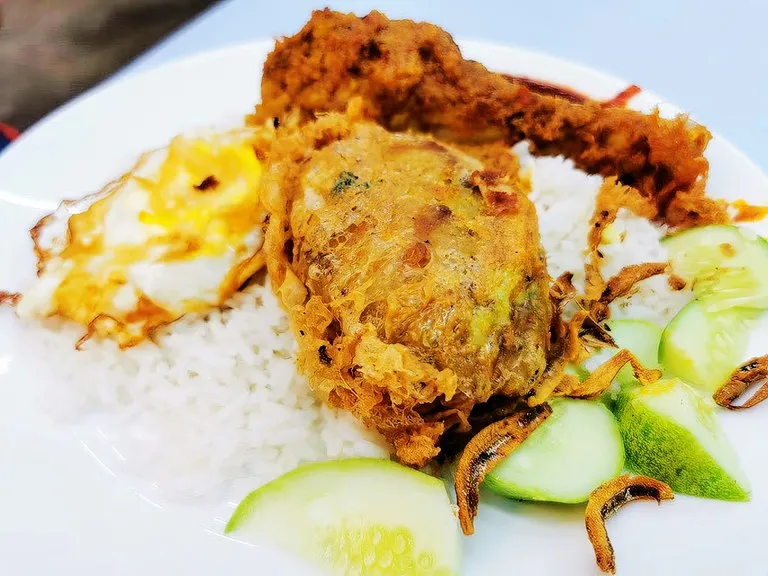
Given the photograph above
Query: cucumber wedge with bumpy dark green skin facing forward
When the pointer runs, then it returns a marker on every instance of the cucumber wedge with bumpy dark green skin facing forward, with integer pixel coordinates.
(672, 434)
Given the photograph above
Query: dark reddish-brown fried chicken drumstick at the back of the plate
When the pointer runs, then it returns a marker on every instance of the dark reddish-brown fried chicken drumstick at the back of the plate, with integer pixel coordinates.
(413, 76)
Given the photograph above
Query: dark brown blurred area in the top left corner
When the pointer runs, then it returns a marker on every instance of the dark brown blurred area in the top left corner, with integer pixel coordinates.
(51, 50)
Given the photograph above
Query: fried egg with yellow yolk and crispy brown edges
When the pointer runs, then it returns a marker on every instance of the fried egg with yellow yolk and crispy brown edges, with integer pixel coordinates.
(179, 233)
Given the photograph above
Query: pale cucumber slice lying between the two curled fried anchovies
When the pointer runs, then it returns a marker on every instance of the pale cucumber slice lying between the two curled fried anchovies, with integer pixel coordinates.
(574, 451)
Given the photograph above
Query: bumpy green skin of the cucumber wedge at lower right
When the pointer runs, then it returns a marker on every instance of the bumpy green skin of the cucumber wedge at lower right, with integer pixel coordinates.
(693, 481)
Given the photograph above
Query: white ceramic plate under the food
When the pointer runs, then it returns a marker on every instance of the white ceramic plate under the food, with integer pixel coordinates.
(61, 512)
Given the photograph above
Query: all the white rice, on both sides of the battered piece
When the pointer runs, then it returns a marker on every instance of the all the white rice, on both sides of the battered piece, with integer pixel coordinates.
(218, 408)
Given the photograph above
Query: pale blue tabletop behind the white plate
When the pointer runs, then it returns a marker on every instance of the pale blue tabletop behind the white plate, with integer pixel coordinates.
(707, 57)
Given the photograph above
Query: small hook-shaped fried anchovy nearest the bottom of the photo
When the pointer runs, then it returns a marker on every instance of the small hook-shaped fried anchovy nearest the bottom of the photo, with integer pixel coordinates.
(608, 498)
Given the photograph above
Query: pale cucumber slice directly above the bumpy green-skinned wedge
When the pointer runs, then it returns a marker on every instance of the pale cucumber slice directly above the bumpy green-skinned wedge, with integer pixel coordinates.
(703, 347)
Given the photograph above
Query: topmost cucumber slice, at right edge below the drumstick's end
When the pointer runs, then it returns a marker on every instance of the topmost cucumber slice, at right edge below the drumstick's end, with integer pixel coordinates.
(727, 265)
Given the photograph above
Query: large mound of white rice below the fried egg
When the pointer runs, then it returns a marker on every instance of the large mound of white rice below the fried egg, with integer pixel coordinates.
(215, 409)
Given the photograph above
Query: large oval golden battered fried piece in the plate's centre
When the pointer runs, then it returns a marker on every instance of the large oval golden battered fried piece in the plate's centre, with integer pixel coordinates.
(414, 279)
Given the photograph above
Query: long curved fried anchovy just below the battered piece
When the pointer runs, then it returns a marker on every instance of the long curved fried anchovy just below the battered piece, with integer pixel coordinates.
(489, 447)
